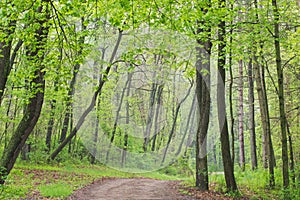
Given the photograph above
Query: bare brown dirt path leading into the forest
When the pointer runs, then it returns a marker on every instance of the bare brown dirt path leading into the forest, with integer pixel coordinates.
(121, 189)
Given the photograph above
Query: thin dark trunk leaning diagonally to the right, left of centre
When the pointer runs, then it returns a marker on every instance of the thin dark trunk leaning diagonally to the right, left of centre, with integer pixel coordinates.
(92, 104)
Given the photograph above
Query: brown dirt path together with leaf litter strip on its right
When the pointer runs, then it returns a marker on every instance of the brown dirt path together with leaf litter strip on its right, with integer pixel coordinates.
(141, 188)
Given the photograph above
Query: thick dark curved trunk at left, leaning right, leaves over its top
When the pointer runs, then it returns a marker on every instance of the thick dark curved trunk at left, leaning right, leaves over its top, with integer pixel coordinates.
(32, 111)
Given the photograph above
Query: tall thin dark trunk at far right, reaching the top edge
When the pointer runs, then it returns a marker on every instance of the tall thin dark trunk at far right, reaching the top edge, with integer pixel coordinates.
(283, 121)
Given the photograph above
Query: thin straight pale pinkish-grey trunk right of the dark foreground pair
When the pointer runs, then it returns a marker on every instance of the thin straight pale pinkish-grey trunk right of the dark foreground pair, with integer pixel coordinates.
(241, 117)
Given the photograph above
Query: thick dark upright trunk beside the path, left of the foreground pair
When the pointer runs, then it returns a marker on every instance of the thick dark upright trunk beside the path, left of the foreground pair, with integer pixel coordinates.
(203, 99)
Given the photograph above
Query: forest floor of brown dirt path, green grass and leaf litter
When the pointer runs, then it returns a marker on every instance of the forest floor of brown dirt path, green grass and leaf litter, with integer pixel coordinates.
(98, 182)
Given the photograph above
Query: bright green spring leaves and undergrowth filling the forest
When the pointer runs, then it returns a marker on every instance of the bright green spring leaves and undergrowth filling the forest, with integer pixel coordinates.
(159, 40)
